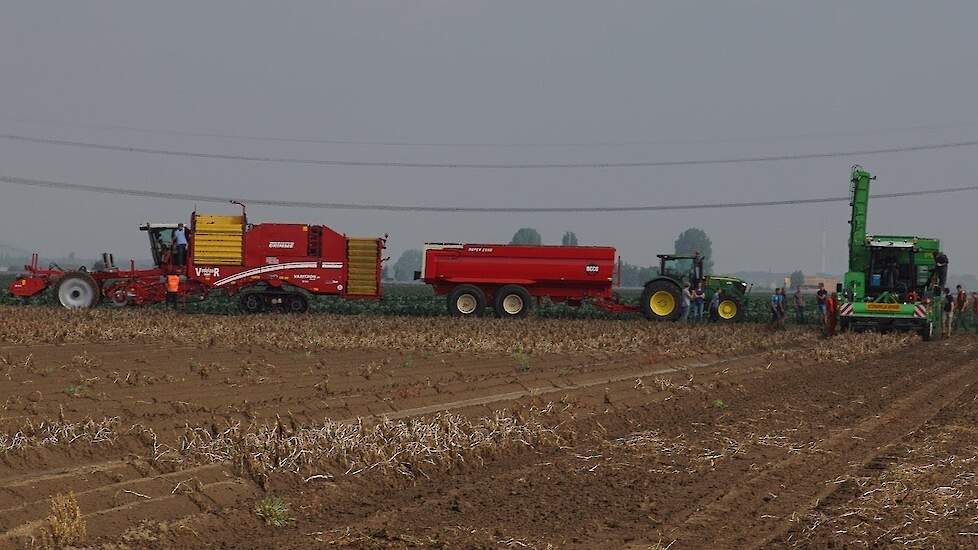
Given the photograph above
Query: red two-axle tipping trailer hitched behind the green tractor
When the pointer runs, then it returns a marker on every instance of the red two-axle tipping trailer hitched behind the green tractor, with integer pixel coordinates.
(510, 277)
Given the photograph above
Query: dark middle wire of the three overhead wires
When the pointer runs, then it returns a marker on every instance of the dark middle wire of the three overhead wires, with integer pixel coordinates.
(463, 165)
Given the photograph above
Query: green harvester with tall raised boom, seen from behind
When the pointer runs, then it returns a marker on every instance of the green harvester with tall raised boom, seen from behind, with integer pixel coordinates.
(889, 277)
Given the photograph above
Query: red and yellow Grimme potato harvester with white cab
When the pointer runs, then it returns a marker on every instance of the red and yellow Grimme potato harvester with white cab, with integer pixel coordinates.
(267, 265)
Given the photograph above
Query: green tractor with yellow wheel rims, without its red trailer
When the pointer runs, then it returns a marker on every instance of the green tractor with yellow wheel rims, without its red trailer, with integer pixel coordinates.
(663, 295)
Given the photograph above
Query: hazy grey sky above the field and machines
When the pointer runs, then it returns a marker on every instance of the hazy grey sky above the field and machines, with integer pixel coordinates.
(502, 82)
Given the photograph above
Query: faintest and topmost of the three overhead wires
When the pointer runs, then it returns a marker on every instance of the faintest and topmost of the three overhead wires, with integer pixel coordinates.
(493, 145)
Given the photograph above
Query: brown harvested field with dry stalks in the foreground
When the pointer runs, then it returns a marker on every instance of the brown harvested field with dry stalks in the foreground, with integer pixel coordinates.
(169, 430)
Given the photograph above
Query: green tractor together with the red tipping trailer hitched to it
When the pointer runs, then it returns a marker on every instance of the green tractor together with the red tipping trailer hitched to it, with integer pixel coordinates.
(510, 278)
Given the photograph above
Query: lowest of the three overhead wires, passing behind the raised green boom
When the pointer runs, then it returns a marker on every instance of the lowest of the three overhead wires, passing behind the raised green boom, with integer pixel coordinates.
(453, 209)
